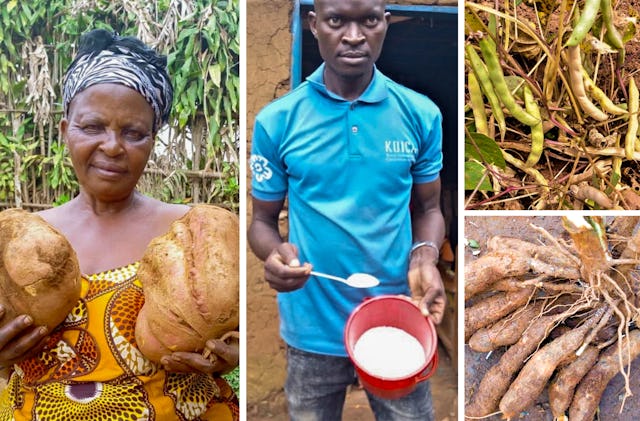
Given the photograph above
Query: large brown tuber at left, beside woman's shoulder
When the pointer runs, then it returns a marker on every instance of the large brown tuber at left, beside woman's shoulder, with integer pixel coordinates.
(39, 271)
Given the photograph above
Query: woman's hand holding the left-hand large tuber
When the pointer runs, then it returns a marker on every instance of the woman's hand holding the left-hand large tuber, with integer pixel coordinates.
(19, 339)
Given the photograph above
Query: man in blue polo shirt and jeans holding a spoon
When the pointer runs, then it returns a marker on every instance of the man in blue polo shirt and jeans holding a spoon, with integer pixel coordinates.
(358, 157)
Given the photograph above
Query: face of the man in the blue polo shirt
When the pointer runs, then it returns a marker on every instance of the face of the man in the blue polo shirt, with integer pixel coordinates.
(350, 34)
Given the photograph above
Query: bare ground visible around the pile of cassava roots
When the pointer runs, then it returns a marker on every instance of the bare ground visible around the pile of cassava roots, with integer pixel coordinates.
(476, 364)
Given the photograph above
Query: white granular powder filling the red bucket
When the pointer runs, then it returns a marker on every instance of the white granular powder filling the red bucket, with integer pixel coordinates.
(388, 352)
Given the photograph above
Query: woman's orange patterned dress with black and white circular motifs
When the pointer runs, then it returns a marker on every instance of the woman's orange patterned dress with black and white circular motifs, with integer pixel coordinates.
(91, 368)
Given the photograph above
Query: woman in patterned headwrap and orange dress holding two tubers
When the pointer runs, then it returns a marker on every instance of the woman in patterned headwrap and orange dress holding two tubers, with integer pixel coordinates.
(117, 95)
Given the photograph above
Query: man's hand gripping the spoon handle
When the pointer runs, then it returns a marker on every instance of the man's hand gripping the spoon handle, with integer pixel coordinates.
(283, 271)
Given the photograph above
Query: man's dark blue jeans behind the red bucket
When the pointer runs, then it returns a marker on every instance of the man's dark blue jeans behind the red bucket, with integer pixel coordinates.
(316, 387)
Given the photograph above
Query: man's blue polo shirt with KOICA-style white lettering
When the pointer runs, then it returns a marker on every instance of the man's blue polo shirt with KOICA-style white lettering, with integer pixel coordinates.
(347, 168)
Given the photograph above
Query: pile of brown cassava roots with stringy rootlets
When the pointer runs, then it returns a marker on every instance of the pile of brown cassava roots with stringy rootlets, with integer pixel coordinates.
(565, 313)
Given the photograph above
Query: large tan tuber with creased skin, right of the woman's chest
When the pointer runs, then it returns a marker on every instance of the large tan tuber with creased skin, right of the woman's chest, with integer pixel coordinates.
(190, 278)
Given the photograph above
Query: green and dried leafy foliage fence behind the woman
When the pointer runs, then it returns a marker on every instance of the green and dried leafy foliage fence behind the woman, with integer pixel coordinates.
(195, 158)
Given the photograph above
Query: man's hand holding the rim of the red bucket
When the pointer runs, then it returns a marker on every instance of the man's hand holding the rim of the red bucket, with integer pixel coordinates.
(427, 290)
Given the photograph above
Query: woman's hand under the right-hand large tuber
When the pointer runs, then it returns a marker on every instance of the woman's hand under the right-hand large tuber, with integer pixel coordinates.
(223, 357)
